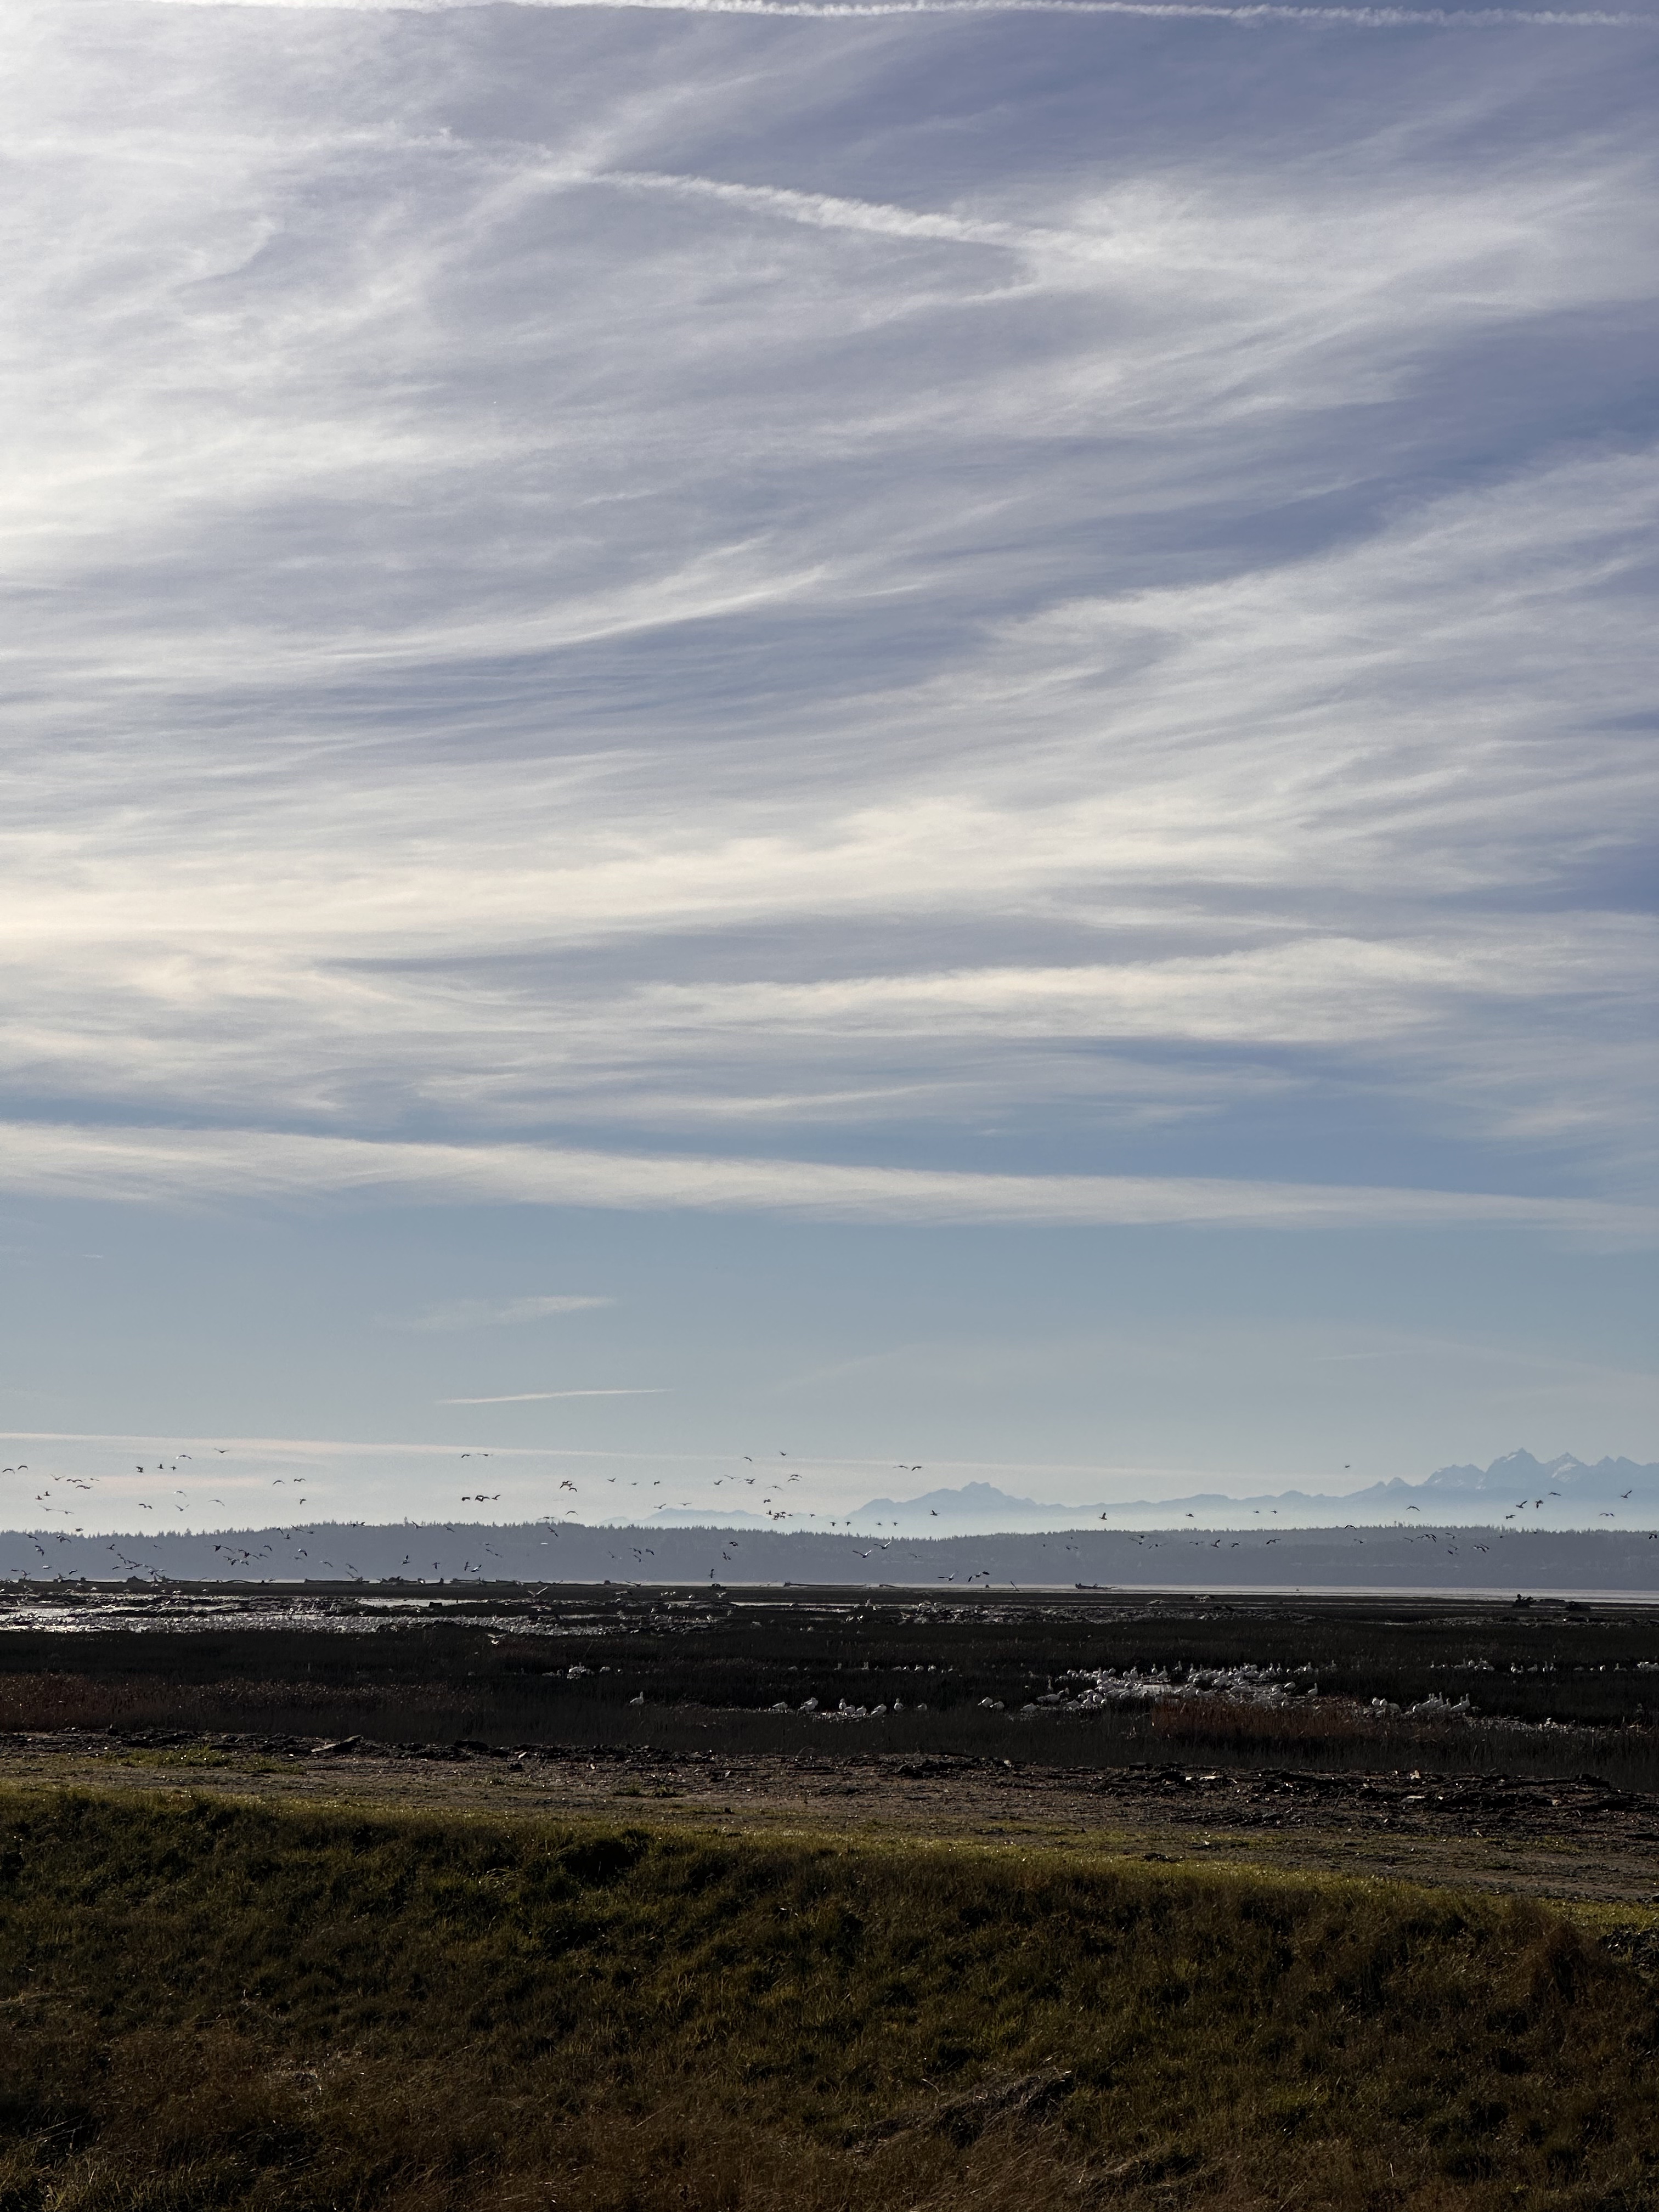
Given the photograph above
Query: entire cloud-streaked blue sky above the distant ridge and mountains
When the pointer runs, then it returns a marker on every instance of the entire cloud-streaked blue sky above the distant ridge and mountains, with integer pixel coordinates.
(910, 735)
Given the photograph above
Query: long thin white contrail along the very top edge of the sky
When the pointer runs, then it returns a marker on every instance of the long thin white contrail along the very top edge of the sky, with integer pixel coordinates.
(1251, 12)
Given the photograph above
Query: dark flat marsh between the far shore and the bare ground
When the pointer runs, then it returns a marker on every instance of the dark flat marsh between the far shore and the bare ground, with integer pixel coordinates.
(567, 1671)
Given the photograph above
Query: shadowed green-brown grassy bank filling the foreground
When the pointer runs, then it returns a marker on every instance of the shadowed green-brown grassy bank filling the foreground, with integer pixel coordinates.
(225, 2005)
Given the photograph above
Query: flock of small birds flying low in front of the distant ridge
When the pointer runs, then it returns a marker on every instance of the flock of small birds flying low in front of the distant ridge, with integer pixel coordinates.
(778, 1485)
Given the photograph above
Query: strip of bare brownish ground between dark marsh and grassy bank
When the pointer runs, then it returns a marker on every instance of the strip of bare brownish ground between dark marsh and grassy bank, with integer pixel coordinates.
(1576, 1841)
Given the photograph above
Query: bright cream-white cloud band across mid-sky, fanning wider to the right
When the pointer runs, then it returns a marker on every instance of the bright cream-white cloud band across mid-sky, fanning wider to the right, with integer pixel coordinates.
(1313, 877)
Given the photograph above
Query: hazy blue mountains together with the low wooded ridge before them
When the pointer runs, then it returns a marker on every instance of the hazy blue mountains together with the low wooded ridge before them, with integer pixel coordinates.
(1525, 1523)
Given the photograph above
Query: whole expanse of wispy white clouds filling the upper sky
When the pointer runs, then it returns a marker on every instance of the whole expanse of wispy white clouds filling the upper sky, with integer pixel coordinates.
(623, 605)
